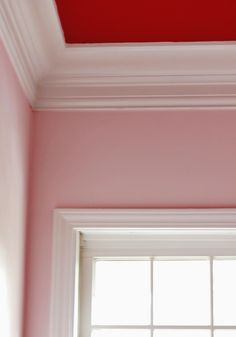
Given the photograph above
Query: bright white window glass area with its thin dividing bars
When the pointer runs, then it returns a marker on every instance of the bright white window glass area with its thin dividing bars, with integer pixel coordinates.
(160, 297)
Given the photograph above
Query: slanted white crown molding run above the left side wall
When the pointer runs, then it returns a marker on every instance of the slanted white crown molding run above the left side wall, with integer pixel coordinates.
(32, 36)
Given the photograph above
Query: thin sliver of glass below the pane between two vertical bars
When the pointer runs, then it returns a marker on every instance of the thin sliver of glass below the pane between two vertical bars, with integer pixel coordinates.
(182, 333)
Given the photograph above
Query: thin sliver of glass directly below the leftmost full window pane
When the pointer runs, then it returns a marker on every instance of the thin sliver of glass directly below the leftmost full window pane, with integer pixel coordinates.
(120, 333)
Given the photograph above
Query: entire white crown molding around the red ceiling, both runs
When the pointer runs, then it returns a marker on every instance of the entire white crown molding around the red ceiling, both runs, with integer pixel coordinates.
(56, 76)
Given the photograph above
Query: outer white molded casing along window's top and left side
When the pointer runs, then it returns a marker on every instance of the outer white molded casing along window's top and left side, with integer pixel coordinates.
(68, 223)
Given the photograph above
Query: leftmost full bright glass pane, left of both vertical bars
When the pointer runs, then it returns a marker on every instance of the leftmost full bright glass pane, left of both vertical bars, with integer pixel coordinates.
(121, 293)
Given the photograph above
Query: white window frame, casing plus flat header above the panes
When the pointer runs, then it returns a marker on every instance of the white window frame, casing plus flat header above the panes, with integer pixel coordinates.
(174, 232)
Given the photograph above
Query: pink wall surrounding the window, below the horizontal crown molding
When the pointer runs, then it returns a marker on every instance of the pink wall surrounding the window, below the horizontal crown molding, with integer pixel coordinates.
(121, 159)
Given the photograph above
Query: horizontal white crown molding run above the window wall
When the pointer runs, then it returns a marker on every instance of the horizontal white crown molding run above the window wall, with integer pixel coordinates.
(141, 76)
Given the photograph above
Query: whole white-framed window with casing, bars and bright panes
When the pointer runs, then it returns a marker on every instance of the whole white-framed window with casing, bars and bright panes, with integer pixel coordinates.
(121, 273)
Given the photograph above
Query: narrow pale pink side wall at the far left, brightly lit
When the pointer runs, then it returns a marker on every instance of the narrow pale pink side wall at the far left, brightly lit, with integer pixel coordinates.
(15, 123)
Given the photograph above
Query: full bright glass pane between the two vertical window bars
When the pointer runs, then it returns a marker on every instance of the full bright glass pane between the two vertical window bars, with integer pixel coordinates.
(182, 292)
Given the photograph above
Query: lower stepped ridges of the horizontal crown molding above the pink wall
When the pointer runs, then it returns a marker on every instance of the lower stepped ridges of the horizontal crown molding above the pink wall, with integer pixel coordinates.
(116, 94)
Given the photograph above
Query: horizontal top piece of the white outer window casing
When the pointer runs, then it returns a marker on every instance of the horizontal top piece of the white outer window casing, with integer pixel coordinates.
(148, 218)
